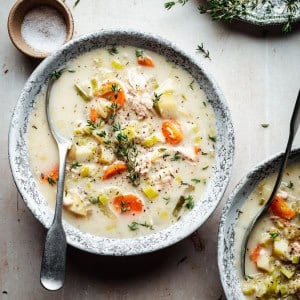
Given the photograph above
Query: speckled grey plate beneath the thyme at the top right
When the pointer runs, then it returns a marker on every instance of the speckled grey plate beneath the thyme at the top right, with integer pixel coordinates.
(266, 14)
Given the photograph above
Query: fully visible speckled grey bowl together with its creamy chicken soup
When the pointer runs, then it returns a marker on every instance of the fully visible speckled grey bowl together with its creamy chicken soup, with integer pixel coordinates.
(152, 143)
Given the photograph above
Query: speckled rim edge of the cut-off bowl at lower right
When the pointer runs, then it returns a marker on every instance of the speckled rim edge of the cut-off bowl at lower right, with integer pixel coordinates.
(258, 168)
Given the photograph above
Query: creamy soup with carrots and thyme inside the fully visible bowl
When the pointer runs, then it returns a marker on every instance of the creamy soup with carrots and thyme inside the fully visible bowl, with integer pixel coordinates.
(143, 139)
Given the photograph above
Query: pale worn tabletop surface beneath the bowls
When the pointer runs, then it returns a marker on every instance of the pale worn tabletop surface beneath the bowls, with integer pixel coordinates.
(258, 71)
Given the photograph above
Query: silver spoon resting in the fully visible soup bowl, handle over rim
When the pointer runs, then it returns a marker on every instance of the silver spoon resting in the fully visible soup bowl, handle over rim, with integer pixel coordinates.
(54, 257)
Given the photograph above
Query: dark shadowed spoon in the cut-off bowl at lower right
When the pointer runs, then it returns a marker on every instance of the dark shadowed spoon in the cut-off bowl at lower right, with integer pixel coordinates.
(294, 124)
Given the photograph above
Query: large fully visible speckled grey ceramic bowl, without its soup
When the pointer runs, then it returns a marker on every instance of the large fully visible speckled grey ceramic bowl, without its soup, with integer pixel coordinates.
(19, 160)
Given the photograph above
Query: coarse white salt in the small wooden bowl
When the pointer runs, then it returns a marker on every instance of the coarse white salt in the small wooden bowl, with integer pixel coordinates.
(44, 29)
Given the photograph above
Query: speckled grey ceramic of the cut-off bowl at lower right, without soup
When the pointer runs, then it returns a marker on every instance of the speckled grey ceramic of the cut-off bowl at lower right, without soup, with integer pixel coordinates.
(229, 218)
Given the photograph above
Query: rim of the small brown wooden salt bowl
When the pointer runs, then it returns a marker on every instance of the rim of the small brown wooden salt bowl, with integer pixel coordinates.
(33, 53)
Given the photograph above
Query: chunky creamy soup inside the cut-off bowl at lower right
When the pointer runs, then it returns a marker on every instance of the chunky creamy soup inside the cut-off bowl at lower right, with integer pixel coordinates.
(273, 255)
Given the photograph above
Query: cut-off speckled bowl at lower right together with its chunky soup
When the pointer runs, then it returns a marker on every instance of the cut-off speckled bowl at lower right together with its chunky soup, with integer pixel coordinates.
(272, 263)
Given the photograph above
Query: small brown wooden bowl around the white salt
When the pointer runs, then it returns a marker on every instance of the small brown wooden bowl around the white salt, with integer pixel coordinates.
(16, 17)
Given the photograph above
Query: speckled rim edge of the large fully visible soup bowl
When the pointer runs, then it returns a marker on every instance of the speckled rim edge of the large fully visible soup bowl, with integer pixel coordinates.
(143, 244)
